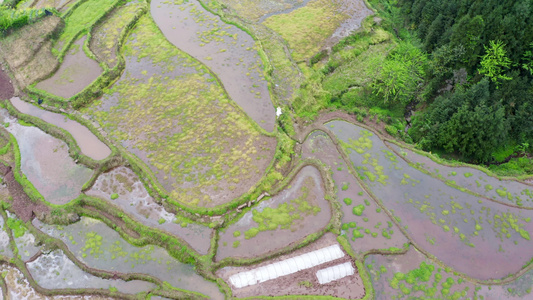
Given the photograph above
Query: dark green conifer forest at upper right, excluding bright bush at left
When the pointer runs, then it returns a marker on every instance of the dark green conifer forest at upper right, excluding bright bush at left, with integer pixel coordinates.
(468, 41)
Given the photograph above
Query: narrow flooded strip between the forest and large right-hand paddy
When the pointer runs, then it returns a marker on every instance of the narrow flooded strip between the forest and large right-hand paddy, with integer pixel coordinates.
(477, 181)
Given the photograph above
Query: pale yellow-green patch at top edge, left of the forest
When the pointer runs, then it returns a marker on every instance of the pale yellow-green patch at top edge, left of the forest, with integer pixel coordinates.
(307, 28)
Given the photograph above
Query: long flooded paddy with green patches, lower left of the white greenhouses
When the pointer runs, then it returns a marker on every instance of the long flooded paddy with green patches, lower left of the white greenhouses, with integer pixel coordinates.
(100, 247)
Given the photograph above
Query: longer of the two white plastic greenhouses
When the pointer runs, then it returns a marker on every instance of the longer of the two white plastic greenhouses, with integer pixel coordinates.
(287, 266)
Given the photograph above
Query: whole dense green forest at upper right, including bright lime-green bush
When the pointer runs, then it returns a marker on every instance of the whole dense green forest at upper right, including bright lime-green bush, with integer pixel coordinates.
(466, 68)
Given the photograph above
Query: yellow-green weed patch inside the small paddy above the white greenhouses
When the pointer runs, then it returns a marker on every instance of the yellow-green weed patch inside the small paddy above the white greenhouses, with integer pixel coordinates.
(285, 214)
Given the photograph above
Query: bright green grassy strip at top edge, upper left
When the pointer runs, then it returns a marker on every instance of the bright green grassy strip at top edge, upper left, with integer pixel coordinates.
(84, 16)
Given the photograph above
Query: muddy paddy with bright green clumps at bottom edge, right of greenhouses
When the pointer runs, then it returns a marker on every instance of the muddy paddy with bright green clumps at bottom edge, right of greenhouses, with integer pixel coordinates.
(404, 263)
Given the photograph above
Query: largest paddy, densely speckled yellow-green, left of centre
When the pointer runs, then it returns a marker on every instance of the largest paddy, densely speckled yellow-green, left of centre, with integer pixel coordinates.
(202, 149)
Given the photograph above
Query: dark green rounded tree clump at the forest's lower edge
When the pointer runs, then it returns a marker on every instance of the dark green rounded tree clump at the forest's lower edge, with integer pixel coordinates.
(465, 122)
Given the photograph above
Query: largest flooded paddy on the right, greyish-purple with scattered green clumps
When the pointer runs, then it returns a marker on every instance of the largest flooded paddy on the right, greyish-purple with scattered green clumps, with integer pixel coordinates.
(463, 231)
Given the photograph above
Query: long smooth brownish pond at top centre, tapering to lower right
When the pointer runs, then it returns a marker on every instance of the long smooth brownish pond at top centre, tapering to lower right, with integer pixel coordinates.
(228, 51)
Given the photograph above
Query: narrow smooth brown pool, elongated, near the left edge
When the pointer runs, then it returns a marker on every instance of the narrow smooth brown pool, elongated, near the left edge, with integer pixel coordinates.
(89, 143)
